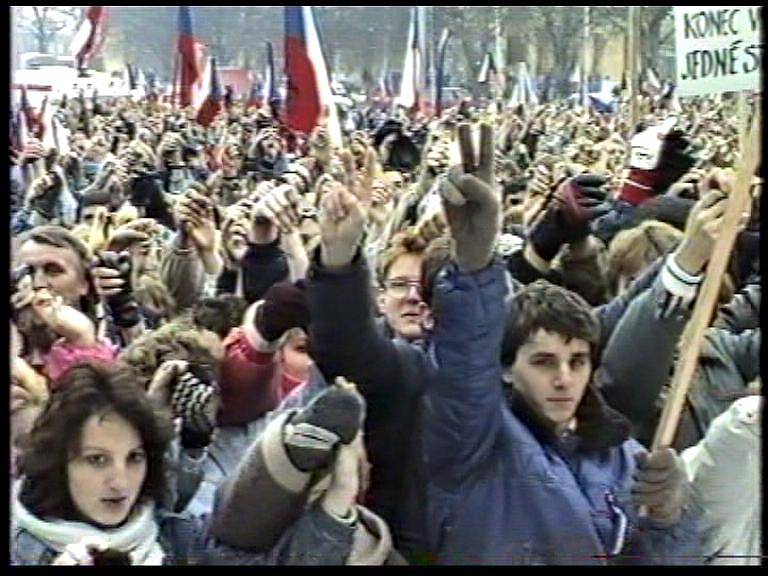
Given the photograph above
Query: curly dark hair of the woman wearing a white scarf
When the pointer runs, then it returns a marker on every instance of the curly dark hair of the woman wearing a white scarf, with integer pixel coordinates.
(88, 388)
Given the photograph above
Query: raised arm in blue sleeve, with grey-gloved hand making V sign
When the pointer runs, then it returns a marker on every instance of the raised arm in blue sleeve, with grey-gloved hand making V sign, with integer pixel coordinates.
(464, 404)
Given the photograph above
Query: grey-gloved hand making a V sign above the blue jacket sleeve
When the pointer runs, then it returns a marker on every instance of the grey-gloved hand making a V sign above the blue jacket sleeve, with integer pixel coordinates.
(472, 205)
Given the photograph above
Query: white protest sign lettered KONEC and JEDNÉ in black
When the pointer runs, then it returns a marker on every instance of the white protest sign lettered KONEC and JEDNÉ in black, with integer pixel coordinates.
(719, 49)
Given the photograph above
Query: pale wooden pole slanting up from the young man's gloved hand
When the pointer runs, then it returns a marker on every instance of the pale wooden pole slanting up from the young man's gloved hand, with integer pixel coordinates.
(738, 202)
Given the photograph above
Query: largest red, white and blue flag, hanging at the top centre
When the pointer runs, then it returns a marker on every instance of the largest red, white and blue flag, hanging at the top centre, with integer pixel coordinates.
(310, 99)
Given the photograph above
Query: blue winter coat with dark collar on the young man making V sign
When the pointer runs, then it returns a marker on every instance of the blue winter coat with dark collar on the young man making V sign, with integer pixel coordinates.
(501, 491)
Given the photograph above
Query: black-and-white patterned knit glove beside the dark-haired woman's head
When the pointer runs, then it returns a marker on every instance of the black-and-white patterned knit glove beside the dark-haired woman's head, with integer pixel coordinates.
(196, 402)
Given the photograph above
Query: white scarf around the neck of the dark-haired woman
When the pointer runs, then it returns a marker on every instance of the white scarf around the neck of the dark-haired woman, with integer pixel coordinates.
(138, 536)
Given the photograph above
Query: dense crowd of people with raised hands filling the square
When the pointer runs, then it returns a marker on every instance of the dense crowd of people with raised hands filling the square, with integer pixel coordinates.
(448, 342)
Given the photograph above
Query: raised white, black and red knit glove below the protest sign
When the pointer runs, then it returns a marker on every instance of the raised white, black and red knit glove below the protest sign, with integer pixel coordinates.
(660, 155)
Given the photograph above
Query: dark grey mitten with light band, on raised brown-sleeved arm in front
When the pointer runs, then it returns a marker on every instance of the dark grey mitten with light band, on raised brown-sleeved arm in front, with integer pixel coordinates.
(313, 434)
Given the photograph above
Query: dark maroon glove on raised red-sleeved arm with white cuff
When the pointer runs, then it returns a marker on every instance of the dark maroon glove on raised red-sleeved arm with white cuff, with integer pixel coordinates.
(284, 307)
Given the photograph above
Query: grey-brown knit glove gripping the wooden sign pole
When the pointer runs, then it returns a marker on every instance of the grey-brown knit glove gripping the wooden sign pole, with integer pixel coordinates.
(660, 484)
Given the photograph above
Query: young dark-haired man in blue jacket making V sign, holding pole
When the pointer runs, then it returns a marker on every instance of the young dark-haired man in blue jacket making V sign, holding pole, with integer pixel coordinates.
(526, 463)
